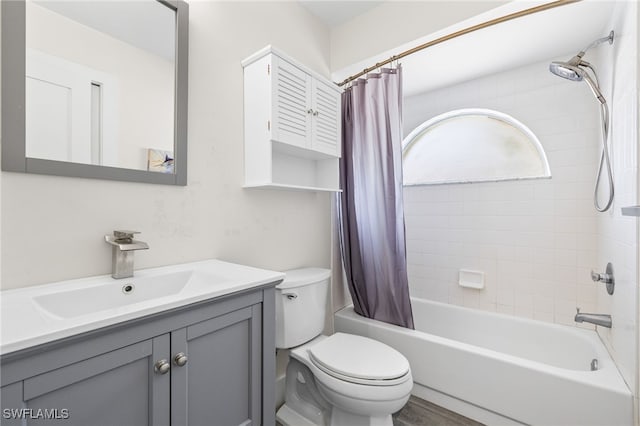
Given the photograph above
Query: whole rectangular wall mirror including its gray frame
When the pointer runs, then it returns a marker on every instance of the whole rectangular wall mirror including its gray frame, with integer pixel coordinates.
(95, 89)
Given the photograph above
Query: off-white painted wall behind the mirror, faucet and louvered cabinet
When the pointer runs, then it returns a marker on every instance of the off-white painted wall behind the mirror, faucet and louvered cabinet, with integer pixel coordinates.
(53, 227)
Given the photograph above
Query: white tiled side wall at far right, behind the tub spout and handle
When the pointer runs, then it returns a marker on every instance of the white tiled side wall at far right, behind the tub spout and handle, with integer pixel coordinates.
(617, 234)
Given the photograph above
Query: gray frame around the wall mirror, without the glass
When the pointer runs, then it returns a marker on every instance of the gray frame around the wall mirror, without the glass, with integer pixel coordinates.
(14, 158)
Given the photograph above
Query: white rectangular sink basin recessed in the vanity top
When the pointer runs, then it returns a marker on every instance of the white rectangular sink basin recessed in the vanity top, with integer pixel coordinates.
(116, 294)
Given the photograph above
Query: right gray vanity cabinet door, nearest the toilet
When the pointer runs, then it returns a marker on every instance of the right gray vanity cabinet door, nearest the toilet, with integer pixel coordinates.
(221, 382)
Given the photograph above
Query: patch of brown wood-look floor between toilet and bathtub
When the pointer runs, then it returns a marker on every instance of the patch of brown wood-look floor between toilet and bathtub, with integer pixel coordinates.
(419, 412)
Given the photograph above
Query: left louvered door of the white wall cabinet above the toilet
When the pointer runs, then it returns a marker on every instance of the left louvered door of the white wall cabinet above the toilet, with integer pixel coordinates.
(291, 104)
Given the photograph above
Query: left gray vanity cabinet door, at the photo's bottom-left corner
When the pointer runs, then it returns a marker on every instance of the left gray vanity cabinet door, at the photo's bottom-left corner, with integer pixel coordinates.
(119, 387)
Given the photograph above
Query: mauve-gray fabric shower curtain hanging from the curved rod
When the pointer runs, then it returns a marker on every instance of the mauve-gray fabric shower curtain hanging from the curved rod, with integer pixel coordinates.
(372, 233)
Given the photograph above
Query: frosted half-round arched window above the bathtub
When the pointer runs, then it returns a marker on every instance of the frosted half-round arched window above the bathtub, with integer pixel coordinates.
(472, 145)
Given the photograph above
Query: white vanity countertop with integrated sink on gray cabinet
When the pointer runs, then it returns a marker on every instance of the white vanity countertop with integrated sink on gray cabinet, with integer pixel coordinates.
(25, 323)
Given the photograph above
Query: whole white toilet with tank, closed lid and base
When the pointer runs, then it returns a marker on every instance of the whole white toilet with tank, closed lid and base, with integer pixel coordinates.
(337, 380)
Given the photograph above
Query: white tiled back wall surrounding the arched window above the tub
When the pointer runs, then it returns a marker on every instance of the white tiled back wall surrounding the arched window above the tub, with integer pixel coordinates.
(535, 240)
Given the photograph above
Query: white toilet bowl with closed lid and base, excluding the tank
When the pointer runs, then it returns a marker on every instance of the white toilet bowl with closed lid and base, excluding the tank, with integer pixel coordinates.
(351, 381)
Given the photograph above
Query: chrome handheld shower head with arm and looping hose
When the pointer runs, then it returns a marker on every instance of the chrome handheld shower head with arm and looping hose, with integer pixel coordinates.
(576, 69)
